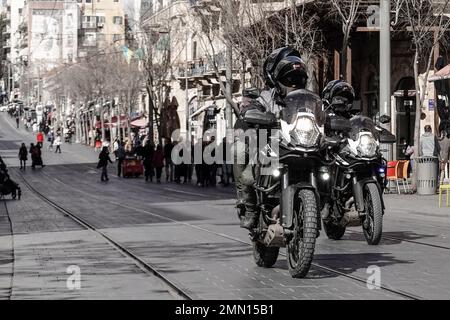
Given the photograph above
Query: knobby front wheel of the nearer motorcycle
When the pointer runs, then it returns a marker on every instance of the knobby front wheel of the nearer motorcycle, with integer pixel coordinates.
(300, 249)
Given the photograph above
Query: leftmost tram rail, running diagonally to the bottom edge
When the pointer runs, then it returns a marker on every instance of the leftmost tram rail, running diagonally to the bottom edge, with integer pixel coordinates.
(143, 265)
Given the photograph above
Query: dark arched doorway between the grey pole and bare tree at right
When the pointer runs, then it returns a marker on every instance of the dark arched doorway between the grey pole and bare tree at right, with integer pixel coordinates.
(405, 107)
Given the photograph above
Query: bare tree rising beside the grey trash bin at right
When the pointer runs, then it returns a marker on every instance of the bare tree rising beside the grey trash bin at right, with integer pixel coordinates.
(428, 24)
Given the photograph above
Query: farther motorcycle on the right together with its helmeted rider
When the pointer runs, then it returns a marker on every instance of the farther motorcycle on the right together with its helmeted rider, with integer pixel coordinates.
(357, 175)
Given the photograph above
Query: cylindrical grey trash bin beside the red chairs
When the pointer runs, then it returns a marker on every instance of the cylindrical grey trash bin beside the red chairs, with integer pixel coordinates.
(427, 170)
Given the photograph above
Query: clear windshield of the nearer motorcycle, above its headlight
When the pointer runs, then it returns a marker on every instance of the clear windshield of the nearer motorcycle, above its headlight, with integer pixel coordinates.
(302, 101)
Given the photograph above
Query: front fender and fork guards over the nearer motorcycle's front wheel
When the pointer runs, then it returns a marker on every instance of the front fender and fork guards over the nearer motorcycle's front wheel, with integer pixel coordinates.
(288, 196)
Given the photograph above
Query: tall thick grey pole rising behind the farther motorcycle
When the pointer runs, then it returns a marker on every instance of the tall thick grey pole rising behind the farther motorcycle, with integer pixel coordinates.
(385, 64)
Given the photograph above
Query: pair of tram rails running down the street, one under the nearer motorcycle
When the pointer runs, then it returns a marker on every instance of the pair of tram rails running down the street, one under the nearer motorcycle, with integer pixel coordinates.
(178, 288)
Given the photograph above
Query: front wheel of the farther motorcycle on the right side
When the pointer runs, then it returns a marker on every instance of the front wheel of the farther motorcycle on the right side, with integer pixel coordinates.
(373, 224)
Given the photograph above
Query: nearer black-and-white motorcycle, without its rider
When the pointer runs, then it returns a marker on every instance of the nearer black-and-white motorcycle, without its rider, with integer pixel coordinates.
(288, 201)
